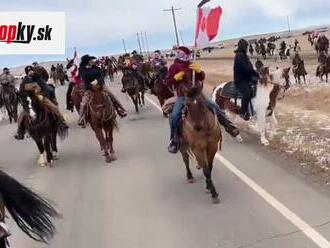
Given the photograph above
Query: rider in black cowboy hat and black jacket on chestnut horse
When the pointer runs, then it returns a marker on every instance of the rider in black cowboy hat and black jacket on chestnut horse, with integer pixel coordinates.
(90, 75)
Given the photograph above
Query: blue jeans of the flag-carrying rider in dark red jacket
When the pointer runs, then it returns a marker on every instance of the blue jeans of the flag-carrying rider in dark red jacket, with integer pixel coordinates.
(176, 115)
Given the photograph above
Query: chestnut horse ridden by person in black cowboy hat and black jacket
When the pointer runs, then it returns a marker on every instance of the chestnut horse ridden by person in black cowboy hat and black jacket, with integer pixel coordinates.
(101, 115)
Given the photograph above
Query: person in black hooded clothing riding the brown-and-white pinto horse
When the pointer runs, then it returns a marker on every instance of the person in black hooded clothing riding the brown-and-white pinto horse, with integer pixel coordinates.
(244, 77)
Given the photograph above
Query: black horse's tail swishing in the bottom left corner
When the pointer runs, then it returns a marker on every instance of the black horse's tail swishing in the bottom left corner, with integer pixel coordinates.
(31, 212)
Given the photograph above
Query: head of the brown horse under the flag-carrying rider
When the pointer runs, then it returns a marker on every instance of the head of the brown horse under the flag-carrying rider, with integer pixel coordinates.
(194, 108)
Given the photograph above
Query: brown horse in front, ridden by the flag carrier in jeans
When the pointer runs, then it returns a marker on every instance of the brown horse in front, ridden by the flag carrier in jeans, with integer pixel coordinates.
(200, 137)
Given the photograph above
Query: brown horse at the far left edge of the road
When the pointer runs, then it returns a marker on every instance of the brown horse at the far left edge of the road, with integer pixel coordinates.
(10, 101)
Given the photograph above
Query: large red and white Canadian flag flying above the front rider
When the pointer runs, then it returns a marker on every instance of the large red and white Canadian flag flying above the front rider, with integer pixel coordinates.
(207, 25)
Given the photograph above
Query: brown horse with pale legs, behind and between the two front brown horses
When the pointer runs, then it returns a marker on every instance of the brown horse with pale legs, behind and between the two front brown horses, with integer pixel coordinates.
(134, 89)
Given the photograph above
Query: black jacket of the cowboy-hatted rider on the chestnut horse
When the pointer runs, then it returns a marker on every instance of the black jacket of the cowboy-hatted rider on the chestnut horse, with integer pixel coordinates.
(89, 74)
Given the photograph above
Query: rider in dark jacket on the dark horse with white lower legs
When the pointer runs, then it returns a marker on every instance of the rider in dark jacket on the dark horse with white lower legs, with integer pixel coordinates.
(34, 87)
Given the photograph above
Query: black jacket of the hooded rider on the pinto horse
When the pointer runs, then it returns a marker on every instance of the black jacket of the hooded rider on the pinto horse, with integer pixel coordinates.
(243, 69)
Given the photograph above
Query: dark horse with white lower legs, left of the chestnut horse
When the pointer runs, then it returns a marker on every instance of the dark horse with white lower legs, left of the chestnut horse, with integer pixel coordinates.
(44, 129)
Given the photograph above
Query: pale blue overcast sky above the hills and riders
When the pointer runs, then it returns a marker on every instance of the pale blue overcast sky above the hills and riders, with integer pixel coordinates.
(98, 26)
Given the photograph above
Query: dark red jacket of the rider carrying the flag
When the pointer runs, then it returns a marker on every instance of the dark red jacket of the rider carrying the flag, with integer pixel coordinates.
(186, 83)
